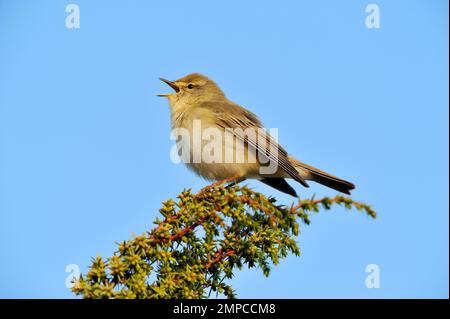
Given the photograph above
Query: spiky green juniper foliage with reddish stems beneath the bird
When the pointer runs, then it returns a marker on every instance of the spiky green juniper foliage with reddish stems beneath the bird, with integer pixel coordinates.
(200, 241)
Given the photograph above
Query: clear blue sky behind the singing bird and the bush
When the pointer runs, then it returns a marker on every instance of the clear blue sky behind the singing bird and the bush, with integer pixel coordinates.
(85, 141)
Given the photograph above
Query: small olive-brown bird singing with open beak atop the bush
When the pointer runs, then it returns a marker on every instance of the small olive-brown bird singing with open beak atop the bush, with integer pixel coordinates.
(197, 98)
